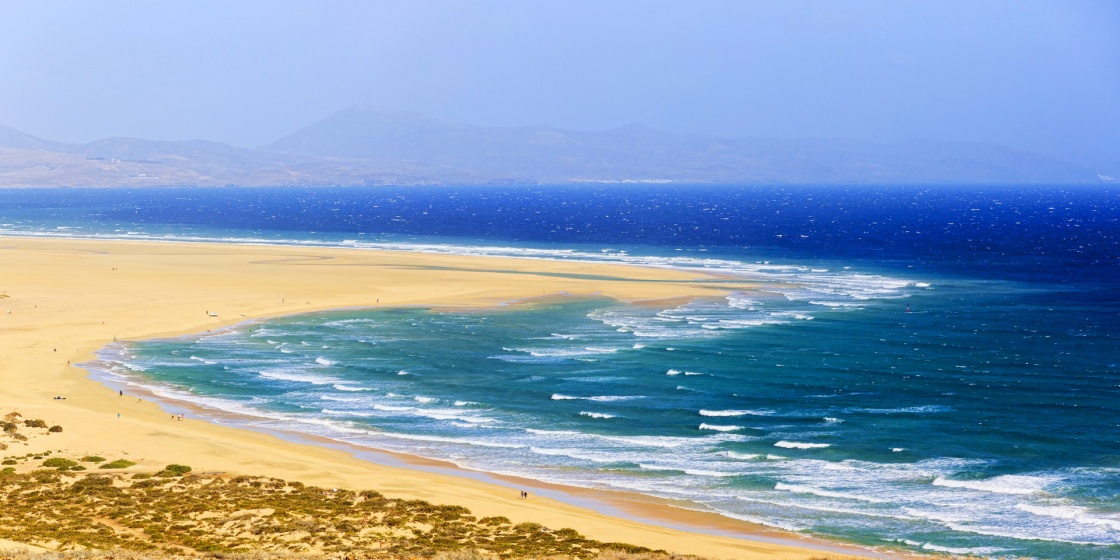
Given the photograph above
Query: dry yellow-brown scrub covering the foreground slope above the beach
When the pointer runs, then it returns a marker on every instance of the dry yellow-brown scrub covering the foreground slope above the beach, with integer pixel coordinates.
(197, 515)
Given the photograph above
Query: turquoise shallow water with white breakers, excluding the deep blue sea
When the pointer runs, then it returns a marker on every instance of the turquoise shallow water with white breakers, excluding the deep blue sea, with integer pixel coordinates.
(941, 430)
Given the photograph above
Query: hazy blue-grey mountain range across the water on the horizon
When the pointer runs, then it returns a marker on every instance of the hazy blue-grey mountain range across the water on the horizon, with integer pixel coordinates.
(371, 146)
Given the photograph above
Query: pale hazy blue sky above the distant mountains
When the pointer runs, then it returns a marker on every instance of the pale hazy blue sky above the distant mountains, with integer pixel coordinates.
(1037, 76)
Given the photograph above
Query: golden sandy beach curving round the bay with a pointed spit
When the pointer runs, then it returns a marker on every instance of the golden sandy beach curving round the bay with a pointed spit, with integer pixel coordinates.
(61, 301)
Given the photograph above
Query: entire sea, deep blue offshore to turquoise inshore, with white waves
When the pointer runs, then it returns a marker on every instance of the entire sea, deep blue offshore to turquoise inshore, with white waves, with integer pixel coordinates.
(926, 368)
